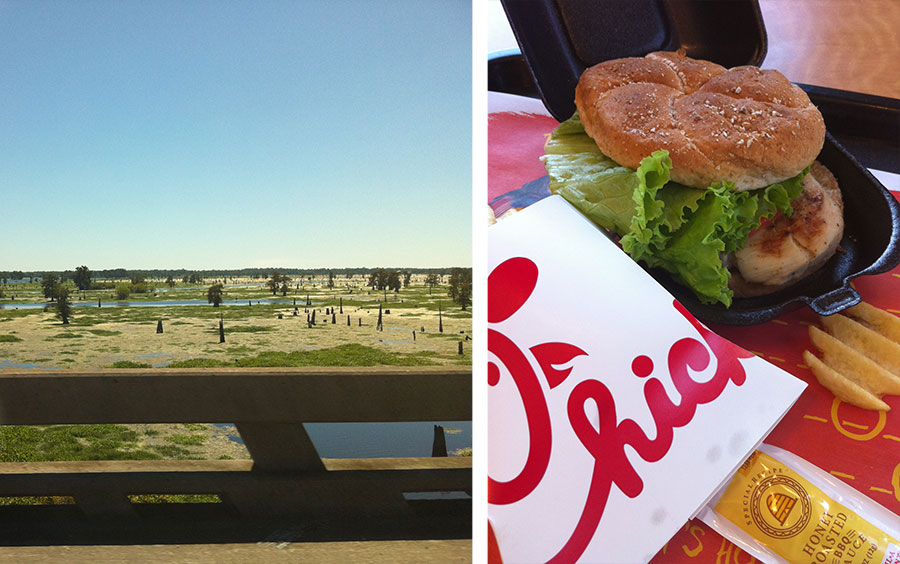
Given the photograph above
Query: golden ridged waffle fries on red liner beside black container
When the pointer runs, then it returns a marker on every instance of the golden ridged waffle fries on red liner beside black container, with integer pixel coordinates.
(860, 356)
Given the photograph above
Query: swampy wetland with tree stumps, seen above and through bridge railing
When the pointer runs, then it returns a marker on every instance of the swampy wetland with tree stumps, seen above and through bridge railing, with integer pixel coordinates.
(306, 323)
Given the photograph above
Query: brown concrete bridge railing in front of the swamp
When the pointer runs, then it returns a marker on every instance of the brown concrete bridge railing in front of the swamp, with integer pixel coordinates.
(268, 405)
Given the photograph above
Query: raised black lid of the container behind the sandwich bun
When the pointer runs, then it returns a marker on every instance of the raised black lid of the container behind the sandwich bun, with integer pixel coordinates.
(561, 38)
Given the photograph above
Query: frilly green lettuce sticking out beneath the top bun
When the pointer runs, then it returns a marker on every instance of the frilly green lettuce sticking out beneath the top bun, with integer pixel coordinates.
(662, 223)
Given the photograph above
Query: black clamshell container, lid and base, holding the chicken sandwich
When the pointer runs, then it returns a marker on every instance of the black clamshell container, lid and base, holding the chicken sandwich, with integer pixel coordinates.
(561, 38)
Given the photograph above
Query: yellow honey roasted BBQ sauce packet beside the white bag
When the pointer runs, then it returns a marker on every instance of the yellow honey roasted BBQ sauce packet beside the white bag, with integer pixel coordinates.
(781, 509)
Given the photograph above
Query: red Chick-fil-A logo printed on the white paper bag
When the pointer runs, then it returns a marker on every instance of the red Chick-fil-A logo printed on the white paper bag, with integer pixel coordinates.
(509, 286)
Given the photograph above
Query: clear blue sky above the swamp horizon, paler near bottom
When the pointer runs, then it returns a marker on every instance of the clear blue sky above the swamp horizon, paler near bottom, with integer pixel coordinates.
(235, 134)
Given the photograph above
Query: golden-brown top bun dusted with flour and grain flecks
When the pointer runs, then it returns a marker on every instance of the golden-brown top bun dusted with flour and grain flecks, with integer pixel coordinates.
(748, 126)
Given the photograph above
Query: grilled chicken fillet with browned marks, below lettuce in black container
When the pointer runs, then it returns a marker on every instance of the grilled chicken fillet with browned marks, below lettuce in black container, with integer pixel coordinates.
(790, 248)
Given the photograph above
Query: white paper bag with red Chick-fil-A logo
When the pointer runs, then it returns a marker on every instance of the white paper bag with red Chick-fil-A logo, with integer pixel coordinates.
(613, 414)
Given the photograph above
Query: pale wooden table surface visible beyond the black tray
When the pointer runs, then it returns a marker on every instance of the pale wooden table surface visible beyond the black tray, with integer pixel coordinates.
(845, 44)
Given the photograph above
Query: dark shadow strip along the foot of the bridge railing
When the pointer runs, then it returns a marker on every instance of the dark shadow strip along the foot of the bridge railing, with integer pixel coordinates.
(212, 523)
